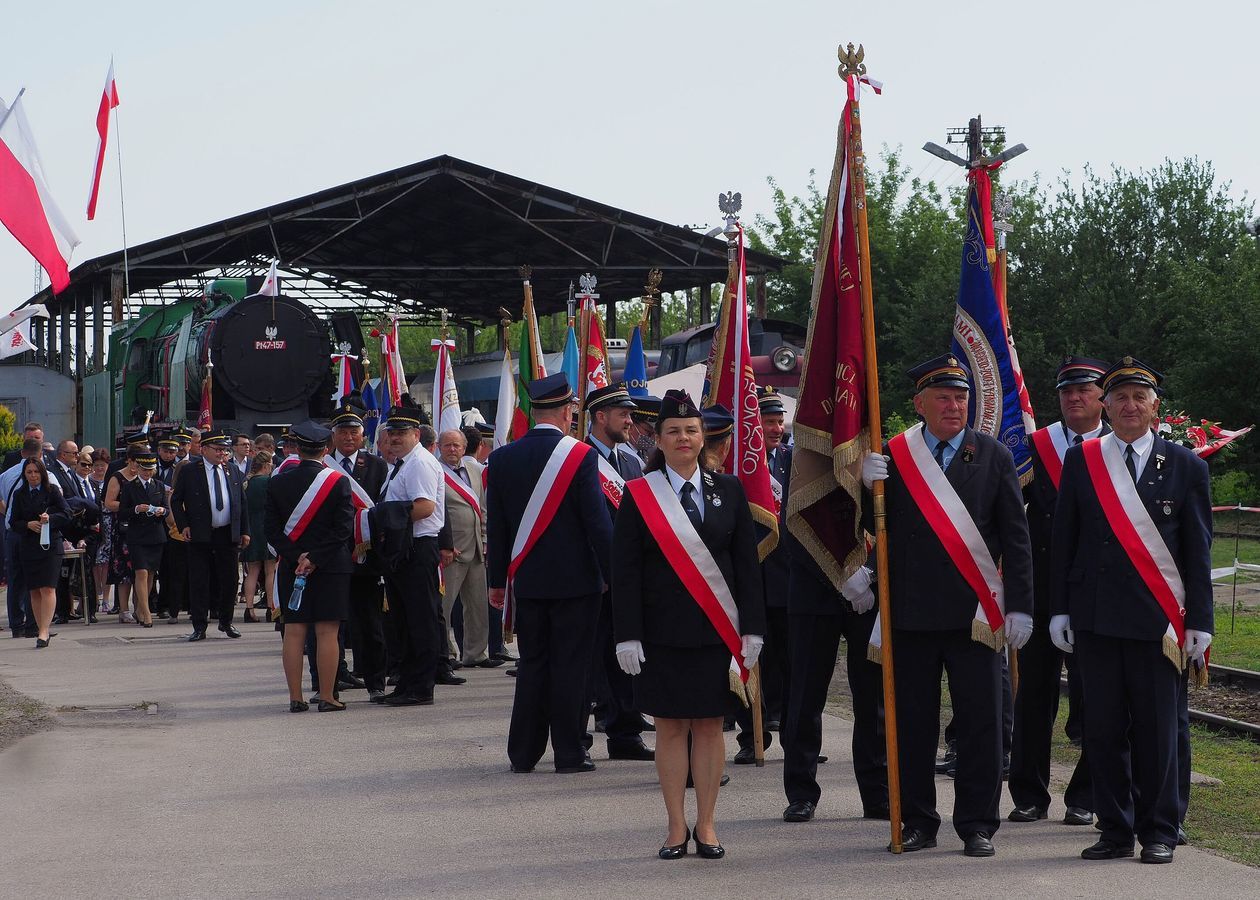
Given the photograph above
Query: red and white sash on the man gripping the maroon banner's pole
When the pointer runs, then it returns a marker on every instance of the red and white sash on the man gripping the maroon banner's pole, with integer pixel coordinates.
(954, 528)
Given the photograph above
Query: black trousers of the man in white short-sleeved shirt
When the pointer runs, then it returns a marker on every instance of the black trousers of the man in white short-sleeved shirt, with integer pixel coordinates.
(413, 602)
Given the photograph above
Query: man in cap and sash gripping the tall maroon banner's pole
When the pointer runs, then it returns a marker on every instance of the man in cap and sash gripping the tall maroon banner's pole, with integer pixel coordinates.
(941, 618)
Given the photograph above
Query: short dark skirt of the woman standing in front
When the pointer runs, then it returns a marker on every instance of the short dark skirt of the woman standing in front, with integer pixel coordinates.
(685, 683)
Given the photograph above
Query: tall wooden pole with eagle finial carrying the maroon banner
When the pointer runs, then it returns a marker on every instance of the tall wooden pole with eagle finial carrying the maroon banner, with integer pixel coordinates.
(851, 70)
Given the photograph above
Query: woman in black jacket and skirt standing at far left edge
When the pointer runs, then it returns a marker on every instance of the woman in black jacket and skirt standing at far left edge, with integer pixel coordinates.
(36, 504)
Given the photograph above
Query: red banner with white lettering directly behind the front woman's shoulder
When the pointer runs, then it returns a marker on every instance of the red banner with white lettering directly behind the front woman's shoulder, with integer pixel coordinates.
(731, 383)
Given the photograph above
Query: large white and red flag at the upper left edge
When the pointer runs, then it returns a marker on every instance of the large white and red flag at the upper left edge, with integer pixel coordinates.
(27, 207)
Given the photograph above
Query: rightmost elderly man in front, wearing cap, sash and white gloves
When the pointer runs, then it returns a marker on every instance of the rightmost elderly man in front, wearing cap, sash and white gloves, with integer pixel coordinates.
(1132, 596)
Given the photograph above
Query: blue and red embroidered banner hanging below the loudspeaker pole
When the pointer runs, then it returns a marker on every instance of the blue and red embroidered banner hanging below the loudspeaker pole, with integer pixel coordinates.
(999, 404)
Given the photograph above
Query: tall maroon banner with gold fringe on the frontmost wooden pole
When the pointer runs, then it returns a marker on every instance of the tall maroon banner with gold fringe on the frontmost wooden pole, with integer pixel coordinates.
(825, 500)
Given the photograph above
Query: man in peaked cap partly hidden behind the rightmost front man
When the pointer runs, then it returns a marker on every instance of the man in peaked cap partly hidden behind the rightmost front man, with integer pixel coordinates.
(1036, 707)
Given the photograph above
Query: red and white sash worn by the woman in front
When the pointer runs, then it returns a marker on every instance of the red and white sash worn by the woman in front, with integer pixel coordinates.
(690, 558)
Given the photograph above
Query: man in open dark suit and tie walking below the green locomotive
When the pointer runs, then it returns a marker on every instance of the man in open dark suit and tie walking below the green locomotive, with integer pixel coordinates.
(209, 505)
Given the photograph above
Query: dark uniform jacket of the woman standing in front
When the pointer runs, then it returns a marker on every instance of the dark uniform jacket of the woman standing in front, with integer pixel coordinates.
(650, 601)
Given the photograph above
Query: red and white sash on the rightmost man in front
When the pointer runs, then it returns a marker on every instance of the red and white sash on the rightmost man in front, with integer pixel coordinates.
(1133, 528)
